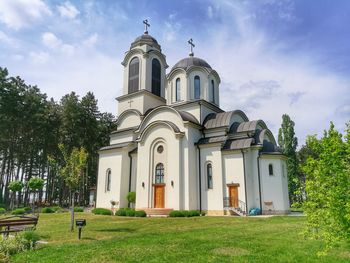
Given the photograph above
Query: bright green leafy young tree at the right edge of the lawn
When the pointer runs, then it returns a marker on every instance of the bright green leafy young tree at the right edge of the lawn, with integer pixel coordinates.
(328, 187)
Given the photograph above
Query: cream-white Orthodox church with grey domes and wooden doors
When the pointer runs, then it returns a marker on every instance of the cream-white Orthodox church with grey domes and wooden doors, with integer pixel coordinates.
(178, 150)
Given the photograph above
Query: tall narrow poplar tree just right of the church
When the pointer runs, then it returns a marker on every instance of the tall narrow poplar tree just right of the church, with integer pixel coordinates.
(288, 142)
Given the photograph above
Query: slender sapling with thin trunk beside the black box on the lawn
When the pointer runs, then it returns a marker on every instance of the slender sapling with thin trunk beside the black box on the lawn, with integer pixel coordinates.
(72, 172)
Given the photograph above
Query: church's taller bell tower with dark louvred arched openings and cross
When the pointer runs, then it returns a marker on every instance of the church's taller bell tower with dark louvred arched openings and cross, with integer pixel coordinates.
(144, 75)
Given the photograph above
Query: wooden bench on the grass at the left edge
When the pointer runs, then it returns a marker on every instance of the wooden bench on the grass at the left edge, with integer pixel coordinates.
(17, 224)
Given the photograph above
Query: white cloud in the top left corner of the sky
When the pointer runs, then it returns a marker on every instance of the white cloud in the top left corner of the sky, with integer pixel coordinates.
(22, 13)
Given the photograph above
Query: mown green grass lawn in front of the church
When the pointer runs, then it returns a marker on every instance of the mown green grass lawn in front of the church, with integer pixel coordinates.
(201, 239)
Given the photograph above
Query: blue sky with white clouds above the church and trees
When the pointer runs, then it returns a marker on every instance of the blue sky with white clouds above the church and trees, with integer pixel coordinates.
(273, 56)
